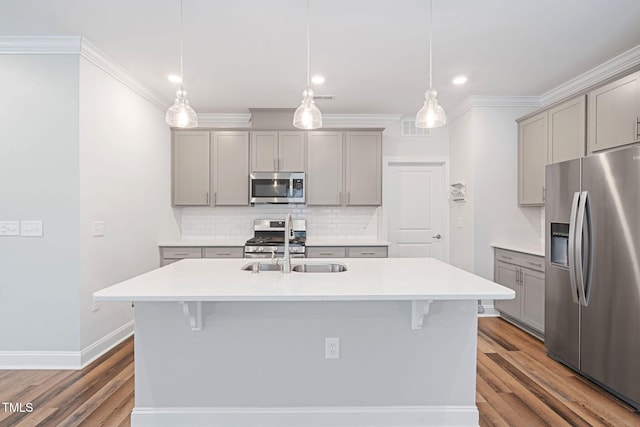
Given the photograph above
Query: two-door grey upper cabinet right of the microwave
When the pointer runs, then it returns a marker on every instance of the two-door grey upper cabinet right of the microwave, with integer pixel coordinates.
(344, 168)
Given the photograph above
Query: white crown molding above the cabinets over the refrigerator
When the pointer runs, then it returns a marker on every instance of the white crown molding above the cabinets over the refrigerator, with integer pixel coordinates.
(597, 75)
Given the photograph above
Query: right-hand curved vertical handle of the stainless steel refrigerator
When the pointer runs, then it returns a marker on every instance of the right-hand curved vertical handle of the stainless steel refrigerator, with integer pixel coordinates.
(586, 261)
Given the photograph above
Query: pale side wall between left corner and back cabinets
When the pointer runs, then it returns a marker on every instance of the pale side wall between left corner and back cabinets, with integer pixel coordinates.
(125, 181)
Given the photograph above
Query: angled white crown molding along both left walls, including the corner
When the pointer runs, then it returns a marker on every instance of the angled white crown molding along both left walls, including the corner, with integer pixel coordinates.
(76, 45)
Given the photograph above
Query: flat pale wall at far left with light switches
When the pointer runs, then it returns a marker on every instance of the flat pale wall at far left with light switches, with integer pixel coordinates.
(39, 276)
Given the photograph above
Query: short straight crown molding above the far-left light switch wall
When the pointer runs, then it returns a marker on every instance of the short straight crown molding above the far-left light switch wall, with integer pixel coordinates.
(30, 45)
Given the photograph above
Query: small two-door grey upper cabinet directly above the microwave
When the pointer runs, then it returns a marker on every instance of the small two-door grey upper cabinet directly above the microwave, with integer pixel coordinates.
(277, 151)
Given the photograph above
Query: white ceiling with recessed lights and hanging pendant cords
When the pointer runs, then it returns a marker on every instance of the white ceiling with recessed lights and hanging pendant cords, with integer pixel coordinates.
(242, 54)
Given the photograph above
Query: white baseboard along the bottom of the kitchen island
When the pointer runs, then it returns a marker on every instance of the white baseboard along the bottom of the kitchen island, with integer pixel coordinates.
(387, 416)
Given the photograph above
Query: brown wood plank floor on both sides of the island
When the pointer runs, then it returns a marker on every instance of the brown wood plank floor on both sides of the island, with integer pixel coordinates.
(517, 385)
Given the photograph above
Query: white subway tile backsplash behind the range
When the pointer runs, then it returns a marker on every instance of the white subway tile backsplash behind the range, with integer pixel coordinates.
(333, 222)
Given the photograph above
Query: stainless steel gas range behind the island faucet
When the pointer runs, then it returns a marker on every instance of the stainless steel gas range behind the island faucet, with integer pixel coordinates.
(268, 239)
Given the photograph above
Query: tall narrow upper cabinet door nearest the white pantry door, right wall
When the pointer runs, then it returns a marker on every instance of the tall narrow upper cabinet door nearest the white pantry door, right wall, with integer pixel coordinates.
(532, 158)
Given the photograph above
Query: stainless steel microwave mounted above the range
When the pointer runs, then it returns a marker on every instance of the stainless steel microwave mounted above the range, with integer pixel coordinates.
(277, 187)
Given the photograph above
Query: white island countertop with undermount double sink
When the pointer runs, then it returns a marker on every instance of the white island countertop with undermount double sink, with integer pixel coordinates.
(365, 280)
